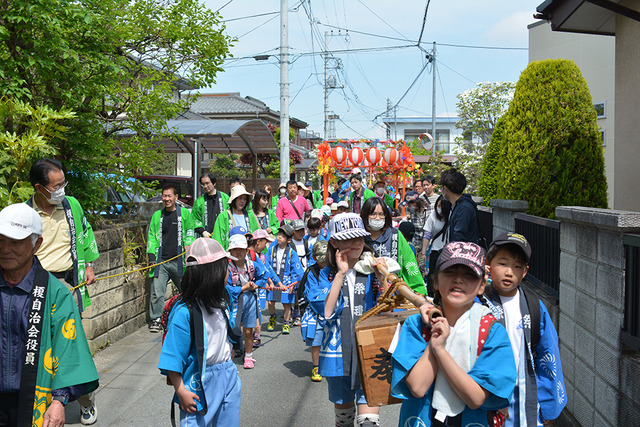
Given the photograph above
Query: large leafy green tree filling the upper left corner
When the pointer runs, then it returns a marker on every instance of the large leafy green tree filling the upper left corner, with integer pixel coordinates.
(116, 64)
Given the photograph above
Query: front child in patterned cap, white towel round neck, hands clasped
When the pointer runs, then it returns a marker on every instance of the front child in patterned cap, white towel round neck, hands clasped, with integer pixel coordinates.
(453, 369)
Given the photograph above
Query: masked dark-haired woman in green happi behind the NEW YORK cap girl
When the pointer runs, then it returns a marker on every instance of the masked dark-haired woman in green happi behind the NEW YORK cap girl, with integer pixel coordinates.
(386, 241)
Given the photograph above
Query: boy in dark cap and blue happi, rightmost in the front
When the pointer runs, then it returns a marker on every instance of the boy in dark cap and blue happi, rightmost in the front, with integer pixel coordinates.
(539, 396)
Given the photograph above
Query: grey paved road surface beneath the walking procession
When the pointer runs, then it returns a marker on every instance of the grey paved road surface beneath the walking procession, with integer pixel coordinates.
(277, 392)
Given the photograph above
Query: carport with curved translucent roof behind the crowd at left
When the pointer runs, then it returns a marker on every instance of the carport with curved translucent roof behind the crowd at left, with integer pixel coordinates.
(217, 137)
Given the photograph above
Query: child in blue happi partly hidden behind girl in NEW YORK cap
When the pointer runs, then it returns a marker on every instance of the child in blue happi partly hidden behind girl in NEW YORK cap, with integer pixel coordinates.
(311, 326)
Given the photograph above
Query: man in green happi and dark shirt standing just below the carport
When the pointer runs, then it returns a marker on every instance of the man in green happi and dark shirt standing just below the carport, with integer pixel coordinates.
(208, 206)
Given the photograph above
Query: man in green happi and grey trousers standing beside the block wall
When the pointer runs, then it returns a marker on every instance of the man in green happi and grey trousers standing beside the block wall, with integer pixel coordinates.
(170, 234)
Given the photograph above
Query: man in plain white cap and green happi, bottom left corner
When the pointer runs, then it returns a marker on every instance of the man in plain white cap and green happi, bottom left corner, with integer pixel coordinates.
(46, 361)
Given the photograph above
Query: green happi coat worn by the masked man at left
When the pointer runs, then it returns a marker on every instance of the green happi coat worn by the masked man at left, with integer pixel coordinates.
(84, 248)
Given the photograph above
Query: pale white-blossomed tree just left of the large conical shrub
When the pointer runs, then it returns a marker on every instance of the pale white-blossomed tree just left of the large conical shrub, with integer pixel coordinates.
(478, 109)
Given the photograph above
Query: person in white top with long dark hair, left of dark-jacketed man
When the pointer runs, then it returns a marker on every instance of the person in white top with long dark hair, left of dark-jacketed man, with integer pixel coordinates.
(434, 236)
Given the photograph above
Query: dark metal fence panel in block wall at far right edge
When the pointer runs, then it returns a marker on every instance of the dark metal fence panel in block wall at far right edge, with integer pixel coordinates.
(631, 327)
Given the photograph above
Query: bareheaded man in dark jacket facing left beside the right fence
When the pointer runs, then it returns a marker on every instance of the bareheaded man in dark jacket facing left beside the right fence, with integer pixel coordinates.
(463, 220)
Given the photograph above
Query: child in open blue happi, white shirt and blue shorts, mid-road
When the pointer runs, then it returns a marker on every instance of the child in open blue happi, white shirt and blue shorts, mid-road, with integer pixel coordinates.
(286, 264)
